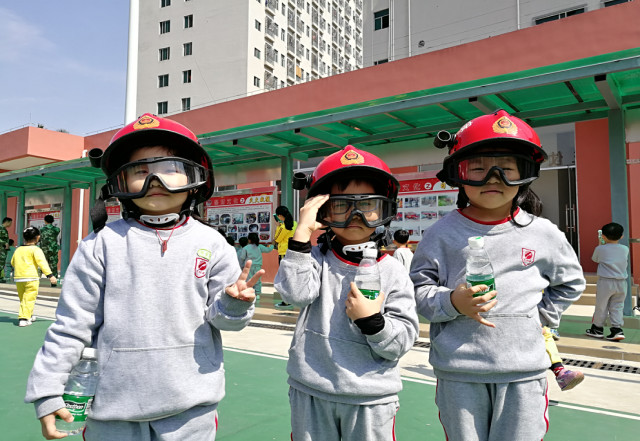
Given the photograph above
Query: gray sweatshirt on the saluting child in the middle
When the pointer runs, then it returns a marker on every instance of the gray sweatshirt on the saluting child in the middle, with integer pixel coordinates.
(330, 357)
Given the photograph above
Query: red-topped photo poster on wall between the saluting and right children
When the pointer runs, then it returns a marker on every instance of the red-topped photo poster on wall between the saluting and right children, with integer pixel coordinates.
(421, 202)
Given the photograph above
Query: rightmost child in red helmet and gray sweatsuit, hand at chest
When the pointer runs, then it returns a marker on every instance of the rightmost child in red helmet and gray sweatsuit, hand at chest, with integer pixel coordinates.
(489, 355)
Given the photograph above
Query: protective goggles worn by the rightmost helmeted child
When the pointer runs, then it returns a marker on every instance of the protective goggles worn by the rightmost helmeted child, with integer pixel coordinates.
(476, 170)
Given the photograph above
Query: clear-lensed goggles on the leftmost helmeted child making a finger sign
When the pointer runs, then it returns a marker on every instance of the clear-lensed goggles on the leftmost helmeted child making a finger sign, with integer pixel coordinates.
(132, 180)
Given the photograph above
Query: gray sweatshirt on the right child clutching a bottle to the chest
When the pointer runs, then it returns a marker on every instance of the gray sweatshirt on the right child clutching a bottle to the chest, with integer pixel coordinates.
(537, 277)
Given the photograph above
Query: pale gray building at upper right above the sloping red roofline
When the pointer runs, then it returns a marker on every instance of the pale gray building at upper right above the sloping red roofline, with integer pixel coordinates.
(396, 29)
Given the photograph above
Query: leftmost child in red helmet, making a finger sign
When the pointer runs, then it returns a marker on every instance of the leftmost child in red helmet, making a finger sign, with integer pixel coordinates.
(151, 292)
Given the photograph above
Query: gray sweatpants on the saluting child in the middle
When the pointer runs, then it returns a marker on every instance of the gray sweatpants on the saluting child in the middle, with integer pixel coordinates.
(314, 419)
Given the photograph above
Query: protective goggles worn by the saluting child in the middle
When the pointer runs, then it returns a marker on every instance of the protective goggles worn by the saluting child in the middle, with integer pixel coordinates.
(374, 210)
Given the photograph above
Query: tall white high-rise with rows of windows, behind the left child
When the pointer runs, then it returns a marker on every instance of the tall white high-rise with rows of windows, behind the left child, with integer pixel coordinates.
(193, 53)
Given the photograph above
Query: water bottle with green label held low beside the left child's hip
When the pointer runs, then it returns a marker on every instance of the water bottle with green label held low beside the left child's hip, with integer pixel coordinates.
(79, 392)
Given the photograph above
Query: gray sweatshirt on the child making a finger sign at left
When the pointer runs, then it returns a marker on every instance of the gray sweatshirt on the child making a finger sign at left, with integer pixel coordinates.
(154, 318)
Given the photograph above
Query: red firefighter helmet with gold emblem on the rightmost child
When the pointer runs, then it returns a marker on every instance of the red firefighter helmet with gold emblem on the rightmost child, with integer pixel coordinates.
(500, 131)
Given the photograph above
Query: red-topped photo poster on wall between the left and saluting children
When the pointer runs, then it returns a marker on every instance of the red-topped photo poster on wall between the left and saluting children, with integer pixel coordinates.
(238, 215)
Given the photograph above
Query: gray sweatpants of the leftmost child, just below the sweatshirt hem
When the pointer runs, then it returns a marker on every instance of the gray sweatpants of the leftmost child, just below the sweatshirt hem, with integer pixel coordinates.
(199, 423)
